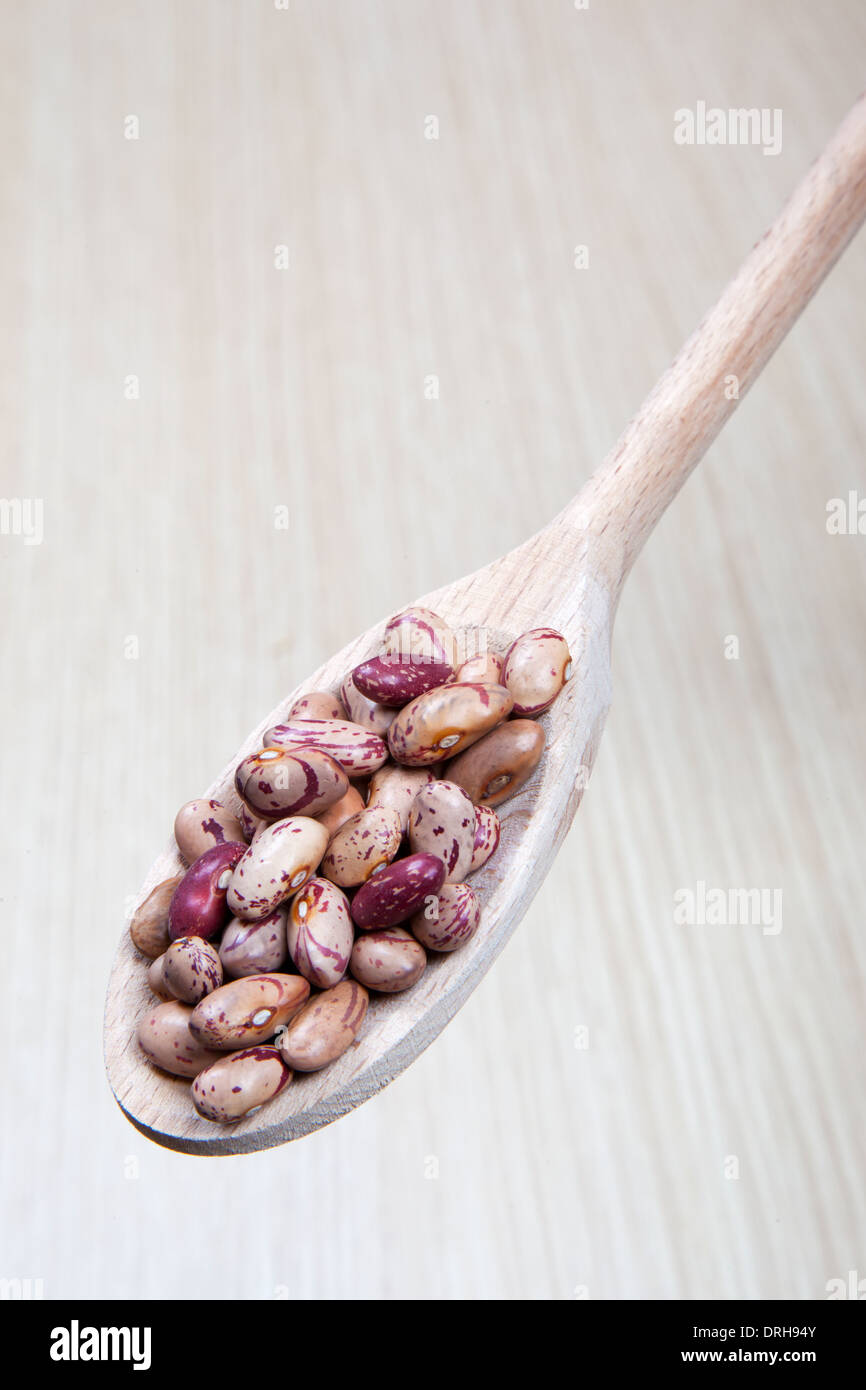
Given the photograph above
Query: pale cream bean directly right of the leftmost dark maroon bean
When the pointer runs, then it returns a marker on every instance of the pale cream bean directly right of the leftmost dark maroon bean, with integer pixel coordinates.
(277, 864)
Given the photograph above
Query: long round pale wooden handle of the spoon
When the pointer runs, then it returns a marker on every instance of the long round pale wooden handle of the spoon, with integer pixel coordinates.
(683, 415)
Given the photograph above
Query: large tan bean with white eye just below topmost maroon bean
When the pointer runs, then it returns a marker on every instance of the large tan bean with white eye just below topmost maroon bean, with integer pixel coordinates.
(447, 721)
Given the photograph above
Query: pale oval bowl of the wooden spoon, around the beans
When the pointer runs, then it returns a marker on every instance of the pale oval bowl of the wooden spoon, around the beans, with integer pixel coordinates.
(484, 610)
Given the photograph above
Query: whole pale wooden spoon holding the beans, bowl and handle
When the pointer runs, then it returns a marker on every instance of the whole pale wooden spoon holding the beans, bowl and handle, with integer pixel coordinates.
(568, 576)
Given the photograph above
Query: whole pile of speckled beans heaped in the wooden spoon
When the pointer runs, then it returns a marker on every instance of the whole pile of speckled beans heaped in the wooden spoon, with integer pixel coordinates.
(347, 861)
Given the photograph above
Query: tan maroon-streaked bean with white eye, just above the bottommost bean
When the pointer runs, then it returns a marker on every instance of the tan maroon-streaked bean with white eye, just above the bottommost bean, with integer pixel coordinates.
(248, 1011)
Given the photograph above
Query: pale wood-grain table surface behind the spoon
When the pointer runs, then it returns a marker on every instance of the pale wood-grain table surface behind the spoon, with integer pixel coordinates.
(628, 1107)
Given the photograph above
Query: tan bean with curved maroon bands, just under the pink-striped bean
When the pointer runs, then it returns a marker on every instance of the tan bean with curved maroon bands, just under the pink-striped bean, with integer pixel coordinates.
(277, 783)
